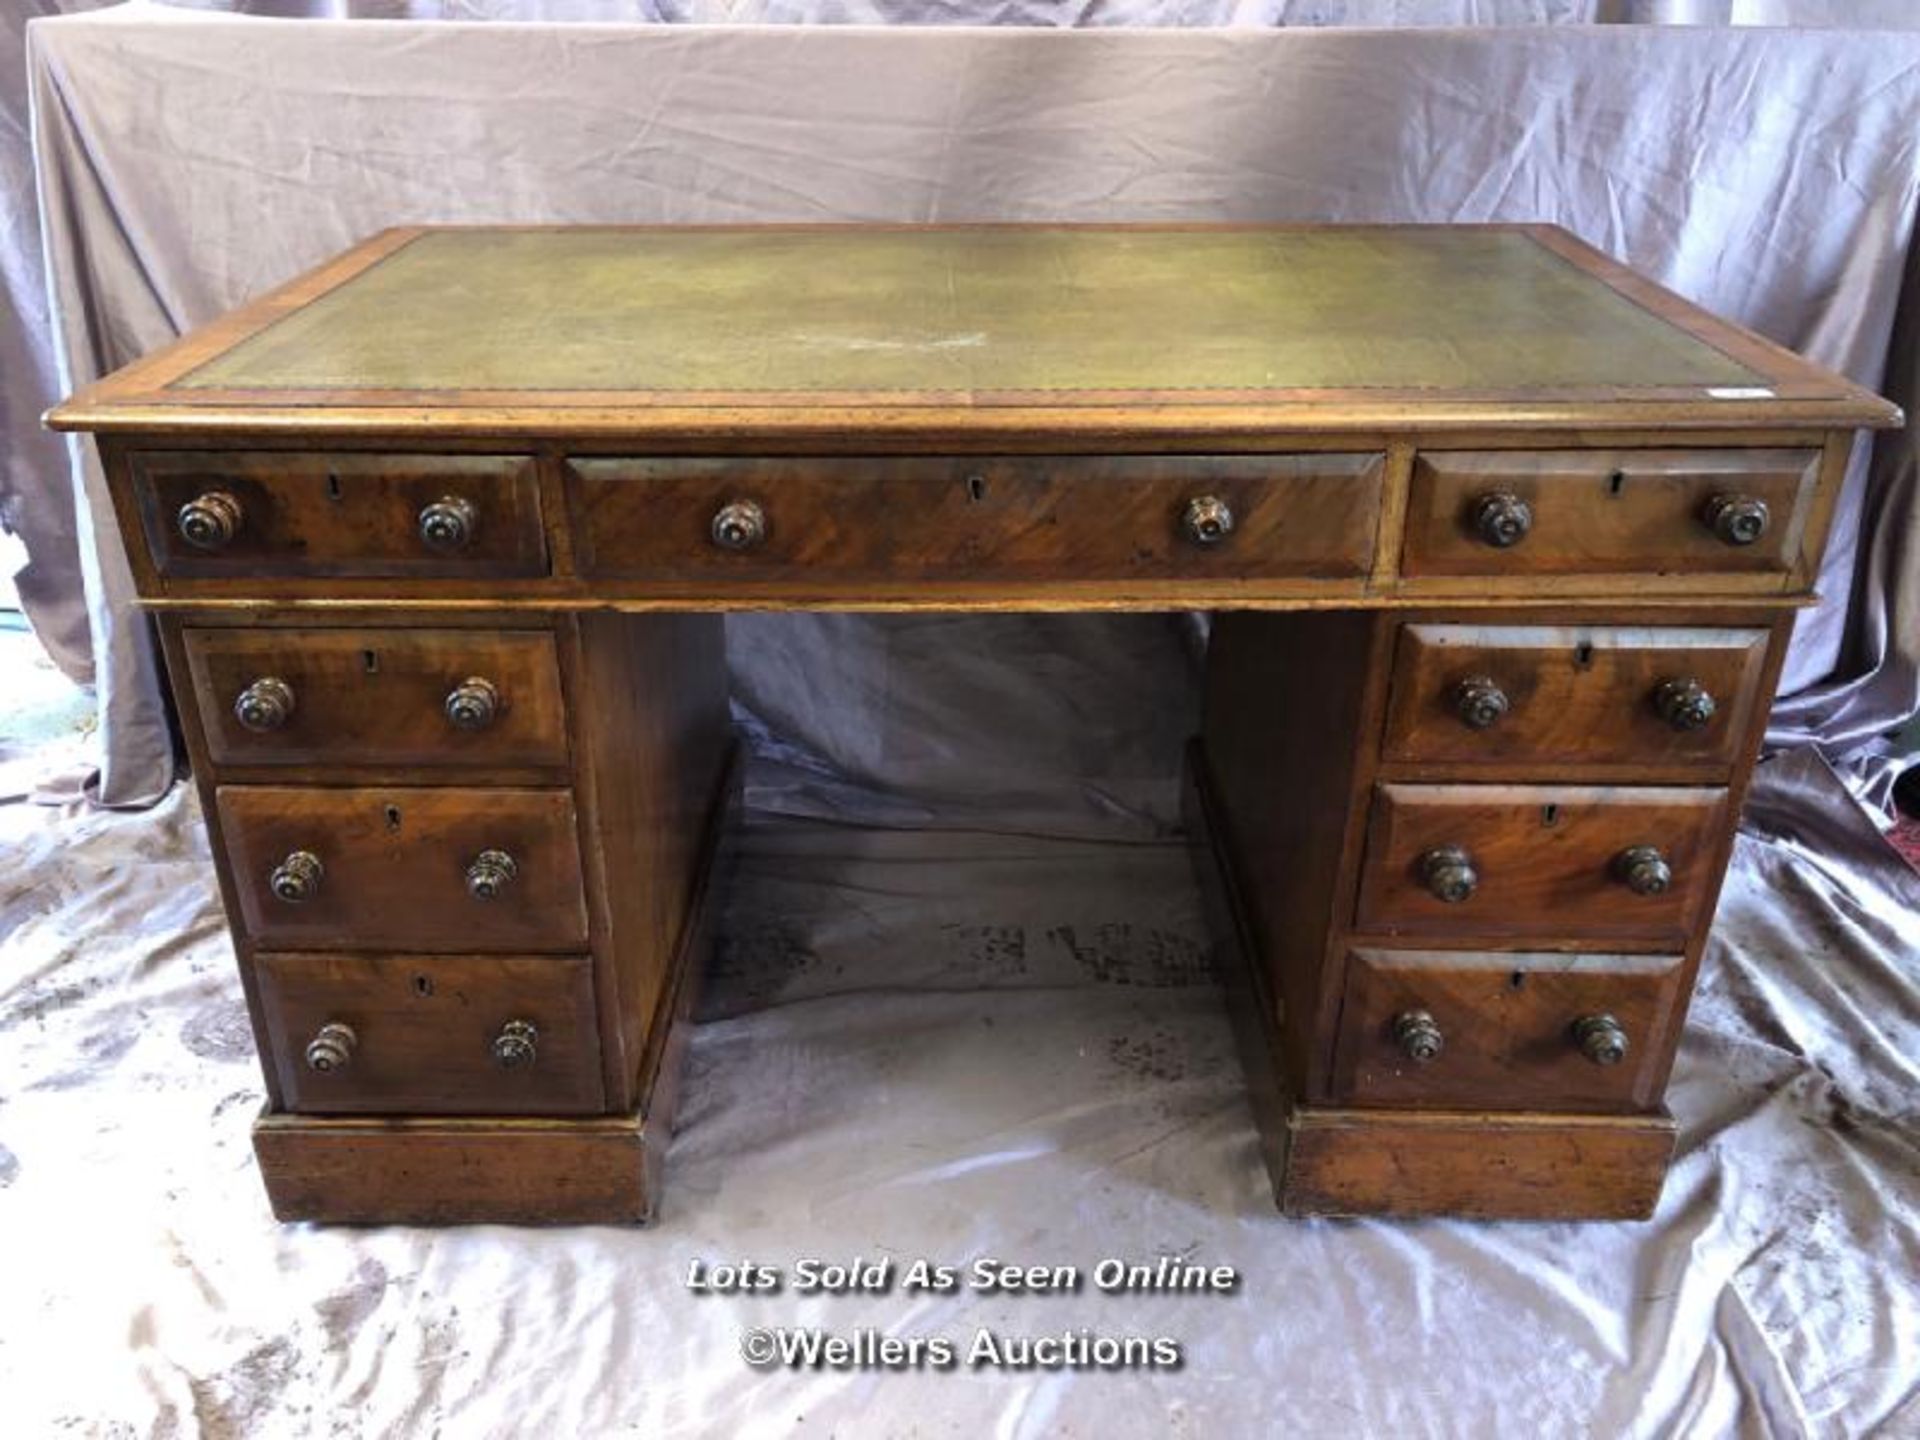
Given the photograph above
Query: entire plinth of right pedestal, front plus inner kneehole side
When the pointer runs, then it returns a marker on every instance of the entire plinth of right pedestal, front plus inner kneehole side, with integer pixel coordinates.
(1412, 1163)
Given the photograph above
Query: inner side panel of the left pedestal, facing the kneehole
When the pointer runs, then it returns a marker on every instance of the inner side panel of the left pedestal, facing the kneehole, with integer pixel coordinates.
(652, 740)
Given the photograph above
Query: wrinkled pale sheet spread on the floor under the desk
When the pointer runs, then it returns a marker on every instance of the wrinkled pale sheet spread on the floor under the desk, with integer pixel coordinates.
(955, 1044)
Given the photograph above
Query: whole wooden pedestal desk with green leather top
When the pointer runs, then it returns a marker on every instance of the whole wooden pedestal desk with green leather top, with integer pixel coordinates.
(1502, 542)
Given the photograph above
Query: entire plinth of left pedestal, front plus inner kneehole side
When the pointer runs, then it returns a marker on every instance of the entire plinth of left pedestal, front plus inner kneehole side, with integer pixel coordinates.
(596, 1170)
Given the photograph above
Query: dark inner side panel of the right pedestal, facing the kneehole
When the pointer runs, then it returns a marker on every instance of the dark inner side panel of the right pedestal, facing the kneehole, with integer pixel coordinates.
(1287, 723)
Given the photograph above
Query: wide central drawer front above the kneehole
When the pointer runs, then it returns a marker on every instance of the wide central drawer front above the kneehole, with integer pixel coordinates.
(982, 519)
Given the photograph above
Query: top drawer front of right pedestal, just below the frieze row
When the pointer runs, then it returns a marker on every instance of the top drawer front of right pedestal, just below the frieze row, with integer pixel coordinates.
(1470, 696)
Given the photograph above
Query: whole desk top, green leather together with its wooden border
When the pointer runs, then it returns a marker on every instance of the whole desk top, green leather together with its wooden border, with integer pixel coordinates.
(967, 329)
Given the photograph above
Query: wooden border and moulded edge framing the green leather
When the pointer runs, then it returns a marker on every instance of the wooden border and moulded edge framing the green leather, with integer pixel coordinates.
(143, 396)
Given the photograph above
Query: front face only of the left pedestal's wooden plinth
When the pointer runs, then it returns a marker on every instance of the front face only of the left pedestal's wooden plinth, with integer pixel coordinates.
(458, 1172)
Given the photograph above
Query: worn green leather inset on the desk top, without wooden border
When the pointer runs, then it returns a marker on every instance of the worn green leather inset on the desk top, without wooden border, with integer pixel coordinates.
(1051, 310)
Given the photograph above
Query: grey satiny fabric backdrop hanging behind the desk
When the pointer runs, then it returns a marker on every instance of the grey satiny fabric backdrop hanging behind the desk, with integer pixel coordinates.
(189, 162)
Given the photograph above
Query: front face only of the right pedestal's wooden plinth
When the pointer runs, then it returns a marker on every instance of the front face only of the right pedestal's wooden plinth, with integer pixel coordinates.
(1474, 1166)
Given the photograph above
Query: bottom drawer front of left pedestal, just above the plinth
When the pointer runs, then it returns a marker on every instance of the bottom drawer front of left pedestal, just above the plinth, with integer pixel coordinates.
(443, 1034)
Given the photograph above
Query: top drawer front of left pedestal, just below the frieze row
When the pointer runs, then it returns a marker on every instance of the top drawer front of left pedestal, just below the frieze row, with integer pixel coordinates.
(418, 698)
